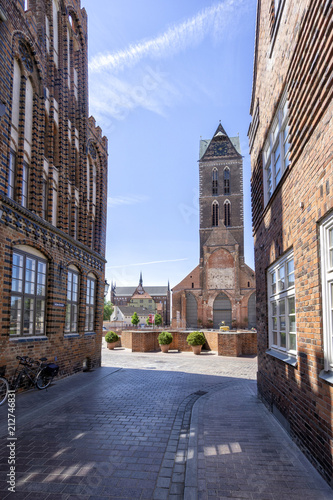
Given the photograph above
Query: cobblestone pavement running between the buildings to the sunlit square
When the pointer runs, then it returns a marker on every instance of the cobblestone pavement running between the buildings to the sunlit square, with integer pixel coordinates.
(154, 426)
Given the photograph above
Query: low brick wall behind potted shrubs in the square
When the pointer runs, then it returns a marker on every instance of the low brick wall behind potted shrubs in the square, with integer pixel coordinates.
(232, 343)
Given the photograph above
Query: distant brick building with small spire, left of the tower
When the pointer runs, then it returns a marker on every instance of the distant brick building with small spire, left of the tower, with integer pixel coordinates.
(156, 299)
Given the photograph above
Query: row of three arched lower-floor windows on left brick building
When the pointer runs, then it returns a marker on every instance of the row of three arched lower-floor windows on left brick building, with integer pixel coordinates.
(29, 295)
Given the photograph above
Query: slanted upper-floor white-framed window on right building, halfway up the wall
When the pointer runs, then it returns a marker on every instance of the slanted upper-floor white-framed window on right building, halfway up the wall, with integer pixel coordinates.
(276, 149)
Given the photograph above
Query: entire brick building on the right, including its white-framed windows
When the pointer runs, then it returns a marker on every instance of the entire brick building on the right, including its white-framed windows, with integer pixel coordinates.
(292, 170)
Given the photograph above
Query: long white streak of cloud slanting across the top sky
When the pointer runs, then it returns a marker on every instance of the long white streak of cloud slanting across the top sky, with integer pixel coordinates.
(191, 32)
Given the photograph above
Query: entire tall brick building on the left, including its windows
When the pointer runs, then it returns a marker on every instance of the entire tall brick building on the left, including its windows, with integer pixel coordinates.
(53, 181)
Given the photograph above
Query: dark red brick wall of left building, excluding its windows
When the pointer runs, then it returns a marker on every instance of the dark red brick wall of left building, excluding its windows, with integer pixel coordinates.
(26, 226)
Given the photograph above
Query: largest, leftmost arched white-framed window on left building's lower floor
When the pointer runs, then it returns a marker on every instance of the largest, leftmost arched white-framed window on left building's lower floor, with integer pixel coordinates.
(28, 295)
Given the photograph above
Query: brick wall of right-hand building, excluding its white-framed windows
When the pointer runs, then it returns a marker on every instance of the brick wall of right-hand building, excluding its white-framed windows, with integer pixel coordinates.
(294, 53)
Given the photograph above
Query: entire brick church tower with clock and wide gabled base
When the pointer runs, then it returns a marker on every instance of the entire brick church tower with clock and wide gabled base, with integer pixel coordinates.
(222, 286)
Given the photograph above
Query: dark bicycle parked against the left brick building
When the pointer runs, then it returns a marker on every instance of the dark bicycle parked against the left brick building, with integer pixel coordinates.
(37, 373)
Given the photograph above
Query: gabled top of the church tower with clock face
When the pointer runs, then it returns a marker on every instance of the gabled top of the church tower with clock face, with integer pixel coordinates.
(228, 146)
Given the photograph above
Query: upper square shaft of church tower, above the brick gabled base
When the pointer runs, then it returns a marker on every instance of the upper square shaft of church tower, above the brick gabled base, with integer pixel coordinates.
(221, 192)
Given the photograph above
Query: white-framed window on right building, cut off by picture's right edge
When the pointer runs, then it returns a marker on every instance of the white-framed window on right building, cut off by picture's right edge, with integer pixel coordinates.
(326, 253)
